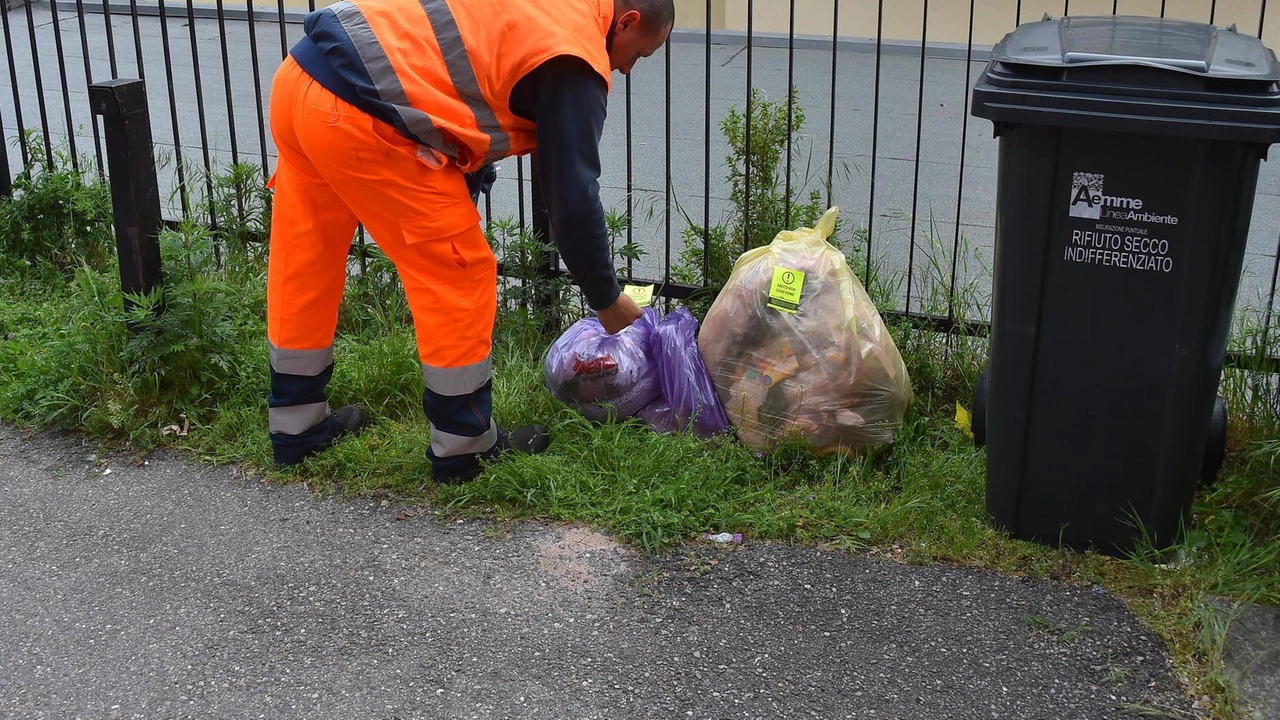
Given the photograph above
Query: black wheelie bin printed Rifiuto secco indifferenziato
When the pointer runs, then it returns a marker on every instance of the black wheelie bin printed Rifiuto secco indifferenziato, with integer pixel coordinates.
(1128, 158)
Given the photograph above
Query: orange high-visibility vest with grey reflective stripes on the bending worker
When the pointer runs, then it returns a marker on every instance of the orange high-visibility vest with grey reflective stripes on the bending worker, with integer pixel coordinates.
(442, 71)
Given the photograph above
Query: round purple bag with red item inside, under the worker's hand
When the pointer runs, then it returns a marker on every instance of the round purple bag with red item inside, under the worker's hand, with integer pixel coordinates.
(604, 376)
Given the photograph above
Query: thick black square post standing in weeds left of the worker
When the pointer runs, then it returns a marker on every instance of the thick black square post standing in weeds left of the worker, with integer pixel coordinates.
(135, 192)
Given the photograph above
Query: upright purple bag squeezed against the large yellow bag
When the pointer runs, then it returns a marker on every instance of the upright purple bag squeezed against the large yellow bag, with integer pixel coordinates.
(688, 400)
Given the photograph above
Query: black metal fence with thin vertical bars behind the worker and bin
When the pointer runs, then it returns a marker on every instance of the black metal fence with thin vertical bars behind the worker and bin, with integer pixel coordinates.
(879, 125)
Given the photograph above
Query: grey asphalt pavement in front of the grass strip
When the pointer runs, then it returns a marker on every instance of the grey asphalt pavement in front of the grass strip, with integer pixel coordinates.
(171, 590)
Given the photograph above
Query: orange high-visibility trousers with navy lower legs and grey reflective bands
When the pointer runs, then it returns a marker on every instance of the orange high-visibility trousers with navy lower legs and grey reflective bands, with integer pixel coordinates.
(340, 167)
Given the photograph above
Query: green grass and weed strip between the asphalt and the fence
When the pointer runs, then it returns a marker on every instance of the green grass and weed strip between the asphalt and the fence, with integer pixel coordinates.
(65, 363)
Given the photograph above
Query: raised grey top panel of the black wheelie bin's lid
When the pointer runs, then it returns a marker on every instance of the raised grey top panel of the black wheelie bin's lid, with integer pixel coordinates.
(1158, 43)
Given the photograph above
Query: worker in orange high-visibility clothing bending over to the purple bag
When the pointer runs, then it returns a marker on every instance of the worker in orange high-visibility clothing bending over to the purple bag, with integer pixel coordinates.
(381, 113)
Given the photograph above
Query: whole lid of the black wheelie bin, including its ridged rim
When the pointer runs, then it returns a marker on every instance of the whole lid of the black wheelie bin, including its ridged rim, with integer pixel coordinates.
(1135, 75)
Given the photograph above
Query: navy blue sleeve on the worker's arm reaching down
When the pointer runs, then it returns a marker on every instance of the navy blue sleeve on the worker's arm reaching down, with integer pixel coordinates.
(569, 102)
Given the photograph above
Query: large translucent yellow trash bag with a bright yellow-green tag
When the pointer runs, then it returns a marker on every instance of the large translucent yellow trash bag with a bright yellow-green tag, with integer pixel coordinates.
(796, 348)
